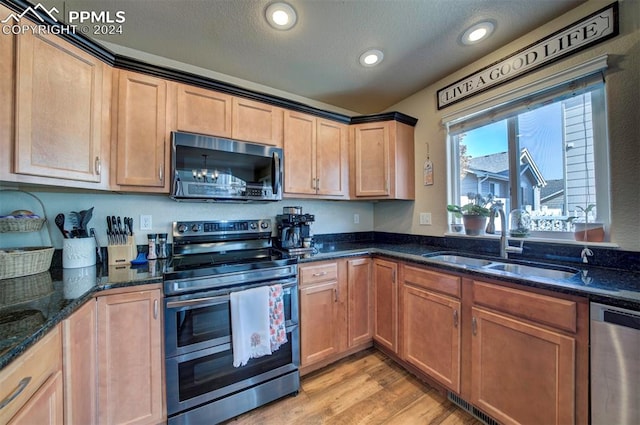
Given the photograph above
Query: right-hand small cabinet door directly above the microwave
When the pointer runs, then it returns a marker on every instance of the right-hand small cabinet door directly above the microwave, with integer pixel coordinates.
(256, 122)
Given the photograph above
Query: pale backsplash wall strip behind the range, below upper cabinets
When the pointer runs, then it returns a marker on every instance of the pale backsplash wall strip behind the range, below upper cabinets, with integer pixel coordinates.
(331, 216)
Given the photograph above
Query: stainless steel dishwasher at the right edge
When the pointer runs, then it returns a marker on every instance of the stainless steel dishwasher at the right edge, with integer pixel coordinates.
(615, 365)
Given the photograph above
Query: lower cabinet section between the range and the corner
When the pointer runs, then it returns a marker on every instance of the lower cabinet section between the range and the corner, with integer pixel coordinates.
(335, 310)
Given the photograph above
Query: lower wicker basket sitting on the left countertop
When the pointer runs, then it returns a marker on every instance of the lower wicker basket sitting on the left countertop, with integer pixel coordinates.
(24, 261)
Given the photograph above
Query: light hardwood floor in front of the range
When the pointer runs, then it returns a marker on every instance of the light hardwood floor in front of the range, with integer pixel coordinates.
(365, 388)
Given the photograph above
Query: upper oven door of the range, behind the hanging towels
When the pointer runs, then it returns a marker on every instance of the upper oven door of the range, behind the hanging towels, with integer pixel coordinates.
(203, 320)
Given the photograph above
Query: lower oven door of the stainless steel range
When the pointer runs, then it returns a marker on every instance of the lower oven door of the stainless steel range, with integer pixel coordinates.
(207, 375)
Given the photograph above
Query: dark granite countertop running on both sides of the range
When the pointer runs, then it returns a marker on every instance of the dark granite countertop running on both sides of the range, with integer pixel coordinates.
(32, 305)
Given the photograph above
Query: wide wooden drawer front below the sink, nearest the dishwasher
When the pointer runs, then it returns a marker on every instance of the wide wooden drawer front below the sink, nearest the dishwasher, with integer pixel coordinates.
(556, 312)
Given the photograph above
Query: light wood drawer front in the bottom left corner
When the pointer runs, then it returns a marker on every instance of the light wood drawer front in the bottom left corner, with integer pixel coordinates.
(29, 372)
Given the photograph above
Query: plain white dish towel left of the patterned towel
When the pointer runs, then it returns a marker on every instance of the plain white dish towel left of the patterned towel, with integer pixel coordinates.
(250, 324)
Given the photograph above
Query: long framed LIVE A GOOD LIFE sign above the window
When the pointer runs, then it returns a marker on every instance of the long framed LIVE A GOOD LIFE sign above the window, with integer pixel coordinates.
(591, 30)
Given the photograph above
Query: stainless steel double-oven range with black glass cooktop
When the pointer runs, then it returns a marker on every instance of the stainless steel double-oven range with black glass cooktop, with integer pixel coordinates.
(212, 259)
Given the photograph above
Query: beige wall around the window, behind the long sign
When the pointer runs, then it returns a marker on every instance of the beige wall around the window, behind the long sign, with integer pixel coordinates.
(623, 103)
